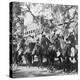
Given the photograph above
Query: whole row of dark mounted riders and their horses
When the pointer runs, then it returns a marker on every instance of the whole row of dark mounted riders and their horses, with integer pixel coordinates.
(63, 49)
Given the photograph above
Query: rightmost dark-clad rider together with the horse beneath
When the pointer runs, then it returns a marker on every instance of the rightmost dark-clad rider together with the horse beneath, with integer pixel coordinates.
(70, 52)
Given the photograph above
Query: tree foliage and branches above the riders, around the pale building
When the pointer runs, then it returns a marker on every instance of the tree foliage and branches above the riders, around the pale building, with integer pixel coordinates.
(48, 16)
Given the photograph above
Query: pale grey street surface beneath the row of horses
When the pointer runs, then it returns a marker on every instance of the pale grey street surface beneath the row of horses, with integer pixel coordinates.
(36, 72)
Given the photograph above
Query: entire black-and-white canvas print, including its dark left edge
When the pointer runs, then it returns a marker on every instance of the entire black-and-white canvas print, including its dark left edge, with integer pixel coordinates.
(43, 39)
